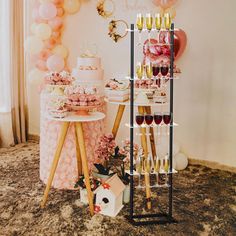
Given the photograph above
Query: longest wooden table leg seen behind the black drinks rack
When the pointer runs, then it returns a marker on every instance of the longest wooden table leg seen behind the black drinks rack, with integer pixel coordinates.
(145, 149)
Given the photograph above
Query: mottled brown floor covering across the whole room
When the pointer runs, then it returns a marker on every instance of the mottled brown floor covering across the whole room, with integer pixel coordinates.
(204, 203)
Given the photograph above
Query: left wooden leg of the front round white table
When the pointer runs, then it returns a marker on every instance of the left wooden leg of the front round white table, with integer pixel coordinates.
(64, 129)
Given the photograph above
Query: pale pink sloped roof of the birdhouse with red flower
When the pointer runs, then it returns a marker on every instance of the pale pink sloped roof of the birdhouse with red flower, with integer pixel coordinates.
(113, 184)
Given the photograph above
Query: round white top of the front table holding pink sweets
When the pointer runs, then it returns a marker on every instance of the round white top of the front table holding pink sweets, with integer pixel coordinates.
(72, 117)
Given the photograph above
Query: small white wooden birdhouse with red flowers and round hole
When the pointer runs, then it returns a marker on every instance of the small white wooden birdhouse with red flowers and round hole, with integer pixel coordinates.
(109, 197)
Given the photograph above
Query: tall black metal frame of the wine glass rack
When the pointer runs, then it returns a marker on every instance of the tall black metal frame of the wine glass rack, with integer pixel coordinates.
(156, 218)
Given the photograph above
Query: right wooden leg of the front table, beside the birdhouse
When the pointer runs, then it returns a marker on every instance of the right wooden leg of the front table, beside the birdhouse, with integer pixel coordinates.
(79, 130)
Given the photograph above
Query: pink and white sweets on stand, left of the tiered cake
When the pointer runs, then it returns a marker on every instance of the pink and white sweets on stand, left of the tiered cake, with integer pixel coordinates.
(55, 78)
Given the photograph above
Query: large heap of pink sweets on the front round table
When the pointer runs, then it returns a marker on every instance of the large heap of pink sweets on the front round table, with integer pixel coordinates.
(82, 96)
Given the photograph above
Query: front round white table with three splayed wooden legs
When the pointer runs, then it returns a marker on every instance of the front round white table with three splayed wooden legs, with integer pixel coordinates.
(82, 165)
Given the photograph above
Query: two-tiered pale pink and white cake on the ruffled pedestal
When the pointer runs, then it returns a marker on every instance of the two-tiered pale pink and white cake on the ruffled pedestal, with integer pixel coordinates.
(88, 70)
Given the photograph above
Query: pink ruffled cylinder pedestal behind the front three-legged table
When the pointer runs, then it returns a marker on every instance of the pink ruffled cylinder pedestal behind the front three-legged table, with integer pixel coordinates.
(66, 173)
